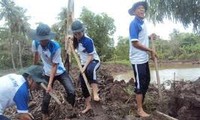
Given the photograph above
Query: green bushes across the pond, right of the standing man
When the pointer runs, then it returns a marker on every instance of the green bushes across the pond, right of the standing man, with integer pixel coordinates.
(183, 46)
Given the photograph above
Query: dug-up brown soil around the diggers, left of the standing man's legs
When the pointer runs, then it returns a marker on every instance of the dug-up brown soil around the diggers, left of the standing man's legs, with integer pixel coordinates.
(117, 99)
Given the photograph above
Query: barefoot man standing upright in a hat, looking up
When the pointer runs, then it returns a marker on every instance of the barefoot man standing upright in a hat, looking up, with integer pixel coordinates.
(139, 53)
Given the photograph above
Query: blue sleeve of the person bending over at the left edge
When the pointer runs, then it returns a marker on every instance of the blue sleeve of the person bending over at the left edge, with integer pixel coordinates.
(21, 99)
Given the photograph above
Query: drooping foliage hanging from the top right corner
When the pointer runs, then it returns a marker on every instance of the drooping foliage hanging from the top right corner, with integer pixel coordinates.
(184, 11)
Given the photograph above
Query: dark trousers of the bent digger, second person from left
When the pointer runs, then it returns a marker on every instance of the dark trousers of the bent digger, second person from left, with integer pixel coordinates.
(66, 81)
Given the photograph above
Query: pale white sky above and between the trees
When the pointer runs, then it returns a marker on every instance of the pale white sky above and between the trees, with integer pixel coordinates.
(46, 11)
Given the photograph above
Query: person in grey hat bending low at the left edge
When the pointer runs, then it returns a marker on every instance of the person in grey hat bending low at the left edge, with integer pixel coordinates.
(14, 90)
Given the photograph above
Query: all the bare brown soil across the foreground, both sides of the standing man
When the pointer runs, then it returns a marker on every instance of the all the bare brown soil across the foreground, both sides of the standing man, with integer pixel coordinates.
(118, 100)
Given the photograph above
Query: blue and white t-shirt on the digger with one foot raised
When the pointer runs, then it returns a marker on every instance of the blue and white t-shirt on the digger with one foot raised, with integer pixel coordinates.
(86, 47)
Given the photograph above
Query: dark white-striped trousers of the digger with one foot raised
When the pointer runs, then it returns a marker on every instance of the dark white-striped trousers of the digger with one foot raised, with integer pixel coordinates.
(91, 76)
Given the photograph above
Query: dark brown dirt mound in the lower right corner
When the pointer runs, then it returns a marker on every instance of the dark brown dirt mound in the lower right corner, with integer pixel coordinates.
(185, 103)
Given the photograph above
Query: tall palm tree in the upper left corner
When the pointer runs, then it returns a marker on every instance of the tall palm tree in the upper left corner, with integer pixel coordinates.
(16, 21)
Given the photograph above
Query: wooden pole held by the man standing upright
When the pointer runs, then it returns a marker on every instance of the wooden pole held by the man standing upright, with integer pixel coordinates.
(156, 68)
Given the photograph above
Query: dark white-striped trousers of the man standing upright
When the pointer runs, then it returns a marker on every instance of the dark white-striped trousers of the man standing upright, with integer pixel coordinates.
(142, 78)
